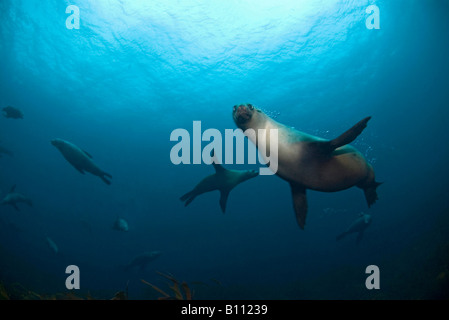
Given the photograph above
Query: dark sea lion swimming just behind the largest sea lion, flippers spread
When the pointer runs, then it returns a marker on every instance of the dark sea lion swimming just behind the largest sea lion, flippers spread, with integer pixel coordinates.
(223, 180)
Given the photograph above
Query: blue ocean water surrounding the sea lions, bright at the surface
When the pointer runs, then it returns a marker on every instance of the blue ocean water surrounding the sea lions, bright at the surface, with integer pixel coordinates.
(135, 71)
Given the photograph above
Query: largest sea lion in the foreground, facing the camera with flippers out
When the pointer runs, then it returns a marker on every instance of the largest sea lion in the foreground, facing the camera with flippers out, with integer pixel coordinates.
(309, 162)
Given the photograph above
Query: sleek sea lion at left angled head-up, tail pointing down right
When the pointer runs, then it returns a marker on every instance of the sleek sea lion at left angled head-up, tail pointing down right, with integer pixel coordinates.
(80, 159)
